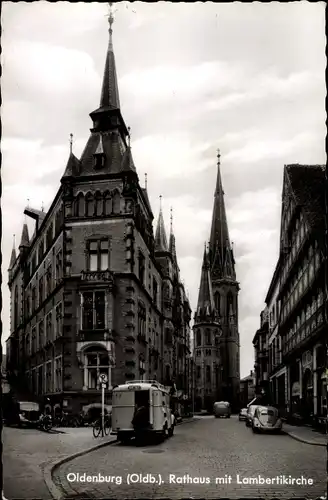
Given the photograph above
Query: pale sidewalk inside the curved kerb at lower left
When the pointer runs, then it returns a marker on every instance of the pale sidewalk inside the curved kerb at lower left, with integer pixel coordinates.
(28, 454)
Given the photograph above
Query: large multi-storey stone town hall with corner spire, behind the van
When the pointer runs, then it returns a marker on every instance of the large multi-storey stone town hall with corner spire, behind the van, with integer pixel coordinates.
(93, 291)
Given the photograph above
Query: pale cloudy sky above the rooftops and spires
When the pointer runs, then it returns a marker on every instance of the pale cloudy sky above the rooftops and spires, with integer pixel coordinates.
(246, 78)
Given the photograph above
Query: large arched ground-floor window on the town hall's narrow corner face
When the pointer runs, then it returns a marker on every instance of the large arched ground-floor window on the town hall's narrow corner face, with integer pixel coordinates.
(96, 362)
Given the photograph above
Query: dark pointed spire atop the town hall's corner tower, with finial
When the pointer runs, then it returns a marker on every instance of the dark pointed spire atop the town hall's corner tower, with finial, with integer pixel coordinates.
(109, 93)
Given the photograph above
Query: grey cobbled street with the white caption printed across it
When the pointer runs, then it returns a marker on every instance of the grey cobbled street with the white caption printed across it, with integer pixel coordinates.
(202, 450)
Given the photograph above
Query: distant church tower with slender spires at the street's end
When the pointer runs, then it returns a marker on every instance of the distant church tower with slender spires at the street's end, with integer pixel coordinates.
(219, 295)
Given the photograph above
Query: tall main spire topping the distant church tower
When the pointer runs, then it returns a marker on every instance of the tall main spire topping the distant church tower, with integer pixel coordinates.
(220, 249)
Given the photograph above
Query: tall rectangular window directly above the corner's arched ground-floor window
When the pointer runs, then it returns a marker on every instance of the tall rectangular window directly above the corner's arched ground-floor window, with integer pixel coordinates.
(93, 314)
